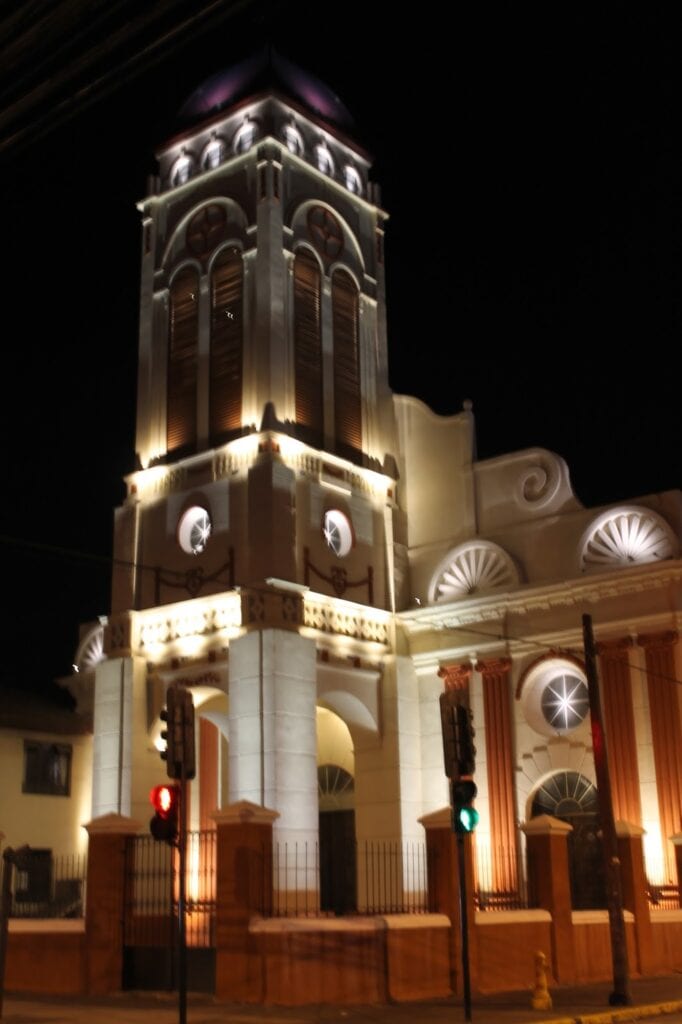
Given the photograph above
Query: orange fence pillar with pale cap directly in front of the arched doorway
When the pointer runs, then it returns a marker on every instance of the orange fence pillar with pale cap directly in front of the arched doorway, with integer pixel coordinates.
(549, 887)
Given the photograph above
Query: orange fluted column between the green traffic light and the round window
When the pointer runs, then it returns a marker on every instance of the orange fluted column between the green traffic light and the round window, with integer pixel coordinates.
(497, 715)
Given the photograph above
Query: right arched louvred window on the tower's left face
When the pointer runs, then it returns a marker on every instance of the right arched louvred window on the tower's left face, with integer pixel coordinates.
(227, 344)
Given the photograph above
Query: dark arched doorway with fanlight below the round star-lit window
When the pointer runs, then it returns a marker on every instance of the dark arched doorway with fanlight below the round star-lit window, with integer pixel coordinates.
(573, 798)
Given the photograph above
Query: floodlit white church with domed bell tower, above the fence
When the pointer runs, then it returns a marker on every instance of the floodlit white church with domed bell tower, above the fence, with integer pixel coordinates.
(317, 558)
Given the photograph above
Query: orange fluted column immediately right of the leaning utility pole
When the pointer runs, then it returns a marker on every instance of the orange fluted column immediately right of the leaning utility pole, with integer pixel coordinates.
(620, 724)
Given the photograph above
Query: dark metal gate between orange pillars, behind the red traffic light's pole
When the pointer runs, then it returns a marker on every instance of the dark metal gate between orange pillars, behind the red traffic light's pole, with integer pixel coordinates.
(150, 919)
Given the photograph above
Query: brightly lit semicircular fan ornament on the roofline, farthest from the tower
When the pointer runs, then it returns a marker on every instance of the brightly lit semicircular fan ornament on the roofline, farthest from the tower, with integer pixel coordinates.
(625, 537)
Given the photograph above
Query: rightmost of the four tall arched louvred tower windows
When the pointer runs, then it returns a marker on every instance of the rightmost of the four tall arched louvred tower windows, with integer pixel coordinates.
(348, 408)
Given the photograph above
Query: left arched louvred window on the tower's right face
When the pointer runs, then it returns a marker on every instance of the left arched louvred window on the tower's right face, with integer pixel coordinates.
(308, 346)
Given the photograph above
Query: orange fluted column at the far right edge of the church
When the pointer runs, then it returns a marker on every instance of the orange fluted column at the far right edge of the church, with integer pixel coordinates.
(666, 736)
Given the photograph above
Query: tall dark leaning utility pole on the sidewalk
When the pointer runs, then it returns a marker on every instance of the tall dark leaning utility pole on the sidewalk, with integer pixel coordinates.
(621, 996)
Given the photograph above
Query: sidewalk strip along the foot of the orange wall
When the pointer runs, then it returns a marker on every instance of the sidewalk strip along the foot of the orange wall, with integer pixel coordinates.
(651, 998)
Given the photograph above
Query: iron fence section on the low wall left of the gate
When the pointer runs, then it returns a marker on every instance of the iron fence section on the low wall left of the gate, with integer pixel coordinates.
(49, 886)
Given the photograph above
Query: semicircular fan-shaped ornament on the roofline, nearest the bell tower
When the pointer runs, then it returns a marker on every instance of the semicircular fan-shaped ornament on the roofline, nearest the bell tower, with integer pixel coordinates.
(474, 568)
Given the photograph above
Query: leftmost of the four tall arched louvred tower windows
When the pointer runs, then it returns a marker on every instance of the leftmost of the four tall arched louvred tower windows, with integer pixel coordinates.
(184, 334)
